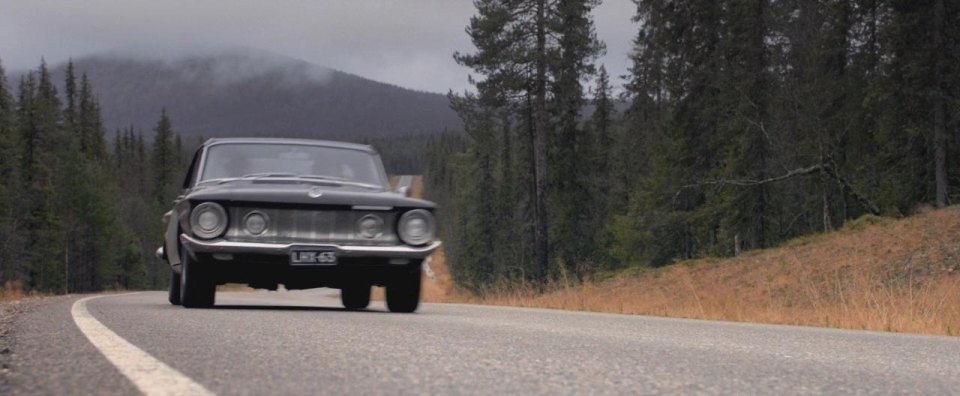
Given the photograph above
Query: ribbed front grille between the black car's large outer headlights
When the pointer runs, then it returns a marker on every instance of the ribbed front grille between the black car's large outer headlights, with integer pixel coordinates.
(311, 226)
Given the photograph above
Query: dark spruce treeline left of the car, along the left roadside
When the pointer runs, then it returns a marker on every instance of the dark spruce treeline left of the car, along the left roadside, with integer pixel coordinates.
(76, 216)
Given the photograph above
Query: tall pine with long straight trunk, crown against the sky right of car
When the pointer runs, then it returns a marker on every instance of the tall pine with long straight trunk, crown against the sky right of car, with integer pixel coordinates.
(519, 59)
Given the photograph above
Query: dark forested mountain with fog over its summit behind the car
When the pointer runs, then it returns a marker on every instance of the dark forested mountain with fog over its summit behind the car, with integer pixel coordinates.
(252, 93)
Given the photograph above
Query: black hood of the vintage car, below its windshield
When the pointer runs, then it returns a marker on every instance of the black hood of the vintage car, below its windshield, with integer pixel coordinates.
(302, 194)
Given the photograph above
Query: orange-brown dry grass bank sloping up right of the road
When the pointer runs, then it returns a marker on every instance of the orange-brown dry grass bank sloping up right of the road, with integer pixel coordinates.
(897, 275)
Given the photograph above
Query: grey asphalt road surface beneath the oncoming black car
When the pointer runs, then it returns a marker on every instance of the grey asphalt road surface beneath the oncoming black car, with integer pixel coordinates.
(304, 343)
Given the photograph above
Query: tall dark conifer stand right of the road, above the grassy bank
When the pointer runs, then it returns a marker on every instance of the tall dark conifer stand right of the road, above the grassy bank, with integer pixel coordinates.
(748, 123)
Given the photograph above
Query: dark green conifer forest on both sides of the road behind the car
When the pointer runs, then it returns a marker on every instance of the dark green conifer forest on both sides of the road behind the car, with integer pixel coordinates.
(741, 124)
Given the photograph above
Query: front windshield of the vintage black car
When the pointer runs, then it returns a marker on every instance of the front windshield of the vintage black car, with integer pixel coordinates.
(237, 160)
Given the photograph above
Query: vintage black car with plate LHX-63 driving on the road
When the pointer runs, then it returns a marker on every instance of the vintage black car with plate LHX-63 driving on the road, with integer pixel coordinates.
(301, 213)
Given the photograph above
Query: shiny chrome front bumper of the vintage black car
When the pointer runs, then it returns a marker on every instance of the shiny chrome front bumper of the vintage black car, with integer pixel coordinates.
(224, 246)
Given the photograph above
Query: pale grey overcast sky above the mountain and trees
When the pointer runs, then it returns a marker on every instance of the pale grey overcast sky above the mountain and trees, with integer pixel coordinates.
(404, 42)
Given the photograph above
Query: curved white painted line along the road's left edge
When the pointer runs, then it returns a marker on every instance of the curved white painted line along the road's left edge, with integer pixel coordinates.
(150, 375)
